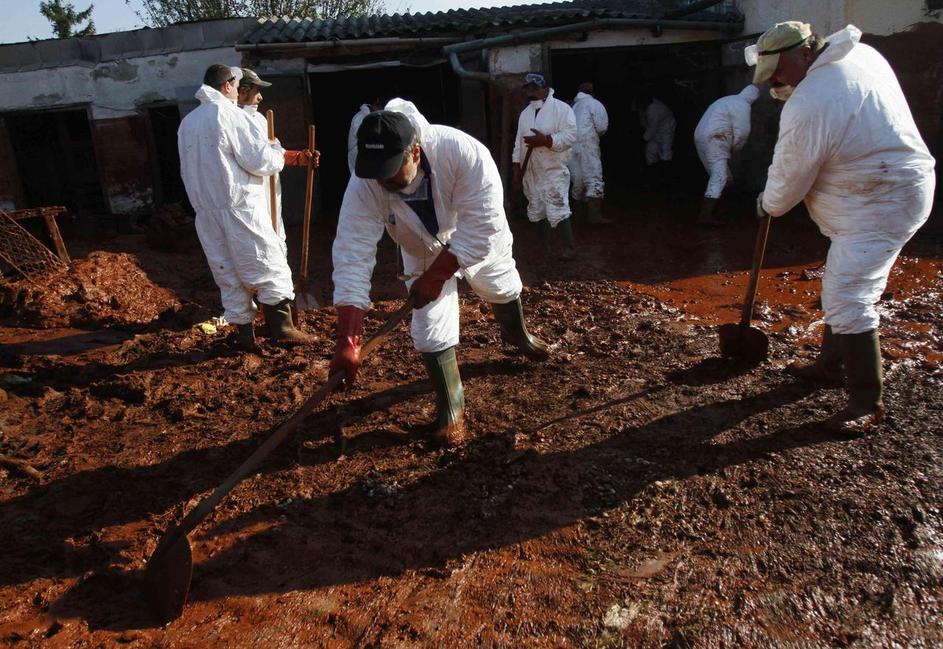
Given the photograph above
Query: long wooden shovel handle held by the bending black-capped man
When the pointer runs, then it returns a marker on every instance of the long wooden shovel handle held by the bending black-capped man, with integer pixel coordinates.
(207, 505)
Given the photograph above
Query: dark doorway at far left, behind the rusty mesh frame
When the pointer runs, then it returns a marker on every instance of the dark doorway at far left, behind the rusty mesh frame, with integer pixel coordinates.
(56, 160)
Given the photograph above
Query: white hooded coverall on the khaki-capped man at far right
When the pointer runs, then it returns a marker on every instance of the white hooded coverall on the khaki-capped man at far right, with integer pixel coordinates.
(849, 146)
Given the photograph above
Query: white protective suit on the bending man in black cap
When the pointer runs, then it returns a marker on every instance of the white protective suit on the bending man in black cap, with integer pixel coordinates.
(469, 204)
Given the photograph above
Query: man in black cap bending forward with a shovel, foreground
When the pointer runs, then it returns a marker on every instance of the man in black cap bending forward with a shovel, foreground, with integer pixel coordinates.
(437, 193)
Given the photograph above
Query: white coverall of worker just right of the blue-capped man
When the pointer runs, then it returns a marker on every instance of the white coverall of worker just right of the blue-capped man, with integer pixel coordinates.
(592, 122)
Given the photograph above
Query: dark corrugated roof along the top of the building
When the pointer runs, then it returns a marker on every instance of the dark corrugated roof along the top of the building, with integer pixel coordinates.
(459, 21)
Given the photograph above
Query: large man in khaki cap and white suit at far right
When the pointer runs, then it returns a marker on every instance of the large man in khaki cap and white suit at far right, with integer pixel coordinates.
(849, 147)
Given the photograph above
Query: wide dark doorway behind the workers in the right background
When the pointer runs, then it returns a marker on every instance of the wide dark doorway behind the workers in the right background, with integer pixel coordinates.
(687, 77)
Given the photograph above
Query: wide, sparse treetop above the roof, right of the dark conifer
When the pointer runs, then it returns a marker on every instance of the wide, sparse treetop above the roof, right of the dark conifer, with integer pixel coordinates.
(159, 13)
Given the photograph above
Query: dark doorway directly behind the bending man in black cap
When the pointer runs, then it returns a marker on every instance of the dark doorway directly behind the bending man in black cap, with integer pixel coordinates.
(337, 96)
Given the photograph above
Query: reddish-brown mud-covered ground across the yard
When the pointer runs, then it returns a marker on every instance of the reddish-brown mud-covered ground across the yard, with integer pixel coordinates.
(634, 491)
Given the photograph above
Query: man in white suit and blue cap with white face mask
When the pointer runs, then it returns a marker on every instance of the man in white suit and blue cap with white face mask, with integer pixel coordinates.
(546, 131)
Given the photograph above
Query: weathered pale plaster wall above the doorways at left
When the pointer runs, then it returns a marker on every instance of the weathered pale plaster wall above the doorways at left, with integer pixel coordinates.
(114, 88)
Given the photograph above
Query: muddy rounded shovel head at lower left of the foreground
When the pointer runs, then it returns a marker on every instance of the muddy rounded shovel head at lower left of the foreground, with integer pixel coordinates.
(168, 574)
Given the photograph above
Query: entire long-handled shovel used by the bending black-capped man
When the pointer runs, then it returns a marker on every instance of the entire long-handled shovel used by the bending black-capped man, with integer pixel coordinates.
(170, 568)
